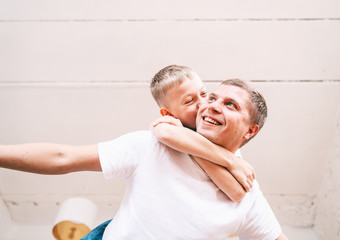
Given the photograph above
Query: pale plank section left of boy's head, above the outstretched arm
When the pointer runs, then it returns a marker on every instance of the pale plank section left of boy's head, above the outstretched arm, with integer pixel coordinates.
(83, 114)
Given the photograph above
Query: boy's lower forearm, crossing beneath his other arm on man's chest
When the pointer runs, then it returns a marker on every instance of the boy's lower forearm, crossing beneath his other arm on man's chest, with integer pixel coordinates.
(223, 179)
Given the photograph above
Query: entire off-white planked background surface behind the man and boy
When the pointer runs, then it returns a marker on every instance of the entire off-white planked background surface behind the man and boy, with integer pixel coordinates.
(78, 72)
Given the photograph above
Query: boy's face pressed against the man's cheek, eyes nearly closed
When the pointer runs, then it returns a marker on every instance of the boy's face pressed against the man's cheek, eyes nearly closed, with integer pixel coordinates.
(183, 101)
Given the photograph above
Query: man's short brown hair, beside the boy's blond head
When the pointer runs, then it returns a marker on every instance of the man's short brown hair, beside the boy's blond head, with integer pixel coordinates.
(258, 112)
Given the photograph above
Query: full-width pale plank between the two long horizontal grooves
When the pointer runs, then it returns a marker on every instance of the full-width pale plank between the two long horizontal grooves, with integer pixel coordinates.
(134, 51)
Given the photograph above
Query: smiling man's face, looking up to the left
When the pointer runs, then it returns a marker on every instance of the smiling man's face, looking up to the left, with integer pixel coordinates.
(224, 119)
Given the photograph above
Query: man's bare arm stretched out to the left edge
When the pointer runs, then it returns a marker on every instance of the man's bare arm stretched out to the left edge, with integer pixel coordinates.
(46, 158)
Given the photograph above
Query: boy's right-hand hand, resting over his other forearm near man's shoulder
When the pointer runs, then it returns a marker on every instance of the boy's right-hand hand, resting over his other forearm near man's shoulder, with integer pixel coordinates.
(243, 172)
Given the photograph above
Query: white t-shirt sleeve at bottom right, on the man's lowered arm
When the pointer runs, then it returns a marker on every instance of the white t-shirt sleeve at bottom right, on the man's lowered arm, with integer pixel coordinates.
(260, 222)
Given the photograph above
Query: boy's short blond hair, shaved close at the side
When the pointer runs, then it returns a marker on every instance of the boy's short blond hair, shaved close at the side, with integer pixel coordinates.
(167, 78)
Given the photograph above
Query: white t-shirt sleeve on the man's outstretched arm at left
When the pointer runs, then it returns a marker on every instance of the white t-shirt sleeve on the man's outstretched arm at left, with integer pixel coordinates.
(121, 156)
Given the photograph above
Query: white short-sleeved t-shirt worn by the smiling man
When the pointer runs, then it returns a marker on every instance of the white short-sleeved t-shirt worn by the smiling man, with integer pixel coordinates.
(169, 196)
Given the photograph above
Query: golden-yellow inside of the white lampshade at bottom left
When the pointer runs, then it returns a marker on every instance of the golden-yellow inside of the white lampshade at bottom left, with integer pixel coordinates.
(67, 230)
